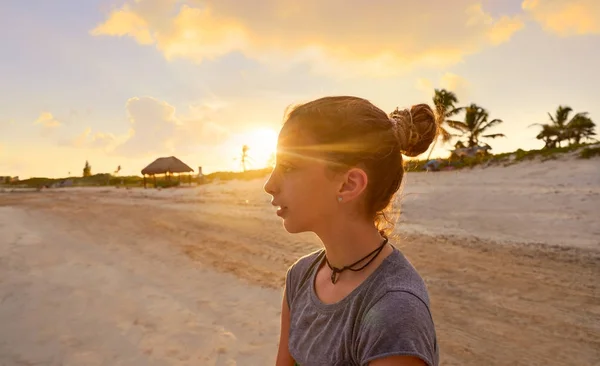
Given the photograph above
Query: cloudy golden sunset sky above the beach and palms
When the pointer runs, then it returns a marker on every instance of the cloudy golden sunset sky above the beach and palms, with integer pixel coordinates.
(124, 82)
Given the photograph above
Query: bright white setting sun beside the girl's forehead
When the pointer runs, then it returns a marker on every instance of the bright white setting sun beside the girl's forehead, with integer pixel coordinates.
(262, 144)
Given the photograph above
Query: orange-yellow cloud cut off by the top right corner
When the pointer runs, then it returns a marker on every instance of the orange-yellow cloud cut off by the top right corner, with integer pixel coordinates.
(565, 17)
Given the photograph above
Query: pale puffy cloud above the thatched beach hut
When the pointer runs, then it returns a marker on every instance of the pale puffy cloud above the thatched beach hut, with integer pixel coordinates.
(156, 128)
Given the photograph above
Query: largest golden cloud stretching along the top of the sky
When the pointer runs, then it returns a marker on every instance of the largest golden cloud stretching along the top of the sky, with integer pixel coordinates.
(378, 39)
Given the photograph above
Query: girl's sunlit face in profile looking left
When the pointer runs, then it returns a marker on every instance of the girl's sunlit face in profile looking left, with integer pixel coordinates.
(302, 189)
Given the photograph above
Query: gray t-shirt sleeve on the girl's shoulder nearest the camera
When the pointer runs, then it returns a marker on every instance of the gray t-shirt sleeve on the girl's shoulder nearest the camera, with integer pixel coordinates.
(399, 324)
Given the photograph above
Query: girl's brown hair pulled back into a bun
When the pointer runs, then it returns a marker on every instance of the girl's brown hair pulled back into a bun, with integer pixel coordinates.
(352, 132)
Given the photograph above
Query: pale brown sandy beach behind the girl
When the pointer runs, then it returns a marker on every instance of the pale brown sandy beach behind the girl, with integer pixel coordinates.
(193, 276)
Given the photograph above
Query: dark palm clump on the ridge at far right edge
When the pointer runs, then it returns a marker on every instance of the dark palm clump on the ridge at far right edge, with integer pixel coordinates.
(561, 128)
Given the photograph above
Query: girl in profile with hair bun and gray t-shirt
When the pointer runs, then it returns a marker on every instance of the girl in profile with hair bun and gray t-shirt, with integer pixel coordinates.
(357, 301)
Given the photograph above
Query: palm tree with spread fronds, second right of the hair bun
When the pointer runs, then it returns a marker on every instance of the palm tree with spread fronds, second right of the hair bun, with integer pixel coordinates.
(475, 123)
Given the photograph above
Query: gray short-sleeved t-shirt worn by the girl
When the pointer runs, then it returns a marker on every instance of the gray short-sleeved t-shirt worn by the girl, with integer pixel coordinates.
(386, 315)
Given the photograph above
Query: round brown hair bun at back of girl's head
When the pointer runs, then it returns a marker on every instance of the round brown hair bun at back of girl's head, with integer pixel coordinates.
(415, 128)
